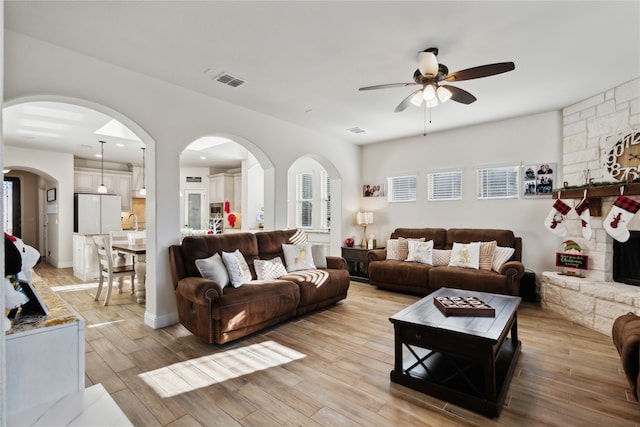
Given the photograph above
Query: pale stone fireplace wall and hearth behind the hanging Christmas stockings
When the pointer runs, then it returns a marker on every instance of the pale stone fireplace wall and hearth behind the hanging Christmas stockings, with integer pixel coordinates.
(589, 130)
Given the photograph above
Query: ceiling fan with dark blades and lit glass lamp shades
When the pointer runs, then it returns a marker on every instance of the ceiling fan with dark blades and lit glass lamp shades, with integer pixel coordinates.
(430, 74)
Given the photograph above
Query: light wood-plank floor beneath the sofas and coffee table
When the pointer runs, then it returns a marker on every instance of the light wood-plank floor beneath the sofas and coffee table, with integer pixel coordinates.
(331, 368)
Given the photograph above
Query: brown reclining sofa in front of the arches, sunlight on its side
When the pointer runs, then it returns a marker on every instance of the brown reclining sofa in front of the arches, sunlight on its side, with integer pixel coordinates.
(218, 315)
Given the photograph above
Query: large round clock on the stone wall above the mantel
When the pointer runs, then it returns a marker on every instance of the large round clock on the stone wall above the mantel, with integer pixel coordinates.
(623, 159)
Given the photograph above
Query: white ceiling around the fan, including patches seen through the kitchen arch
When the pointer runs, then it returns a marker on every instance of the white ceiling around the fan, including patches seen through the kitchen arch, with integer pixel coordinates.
(304, 61)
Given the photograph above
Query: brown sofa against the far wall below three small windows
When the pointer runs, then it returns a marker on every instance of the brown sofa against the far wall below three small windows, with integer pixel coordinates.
(422, 279)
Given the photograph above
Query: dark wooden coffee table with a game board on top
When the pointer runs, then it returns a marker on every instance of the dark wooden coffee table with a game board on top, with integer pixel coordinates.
(465, 360)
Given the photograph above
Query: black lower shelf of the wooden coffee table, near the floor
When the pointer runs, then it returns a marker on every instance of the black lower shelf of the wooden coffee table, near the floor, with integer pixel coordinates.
(458, 380)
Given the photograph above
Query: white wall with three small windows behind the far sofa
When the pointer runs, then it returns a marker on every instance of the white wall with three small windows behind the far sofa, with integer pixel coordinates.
(526, 140)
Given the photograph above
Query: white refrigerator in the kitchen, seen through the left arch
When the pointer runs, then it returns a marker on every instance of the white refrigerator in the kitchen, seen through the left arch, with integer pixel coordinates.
(96, 213)
